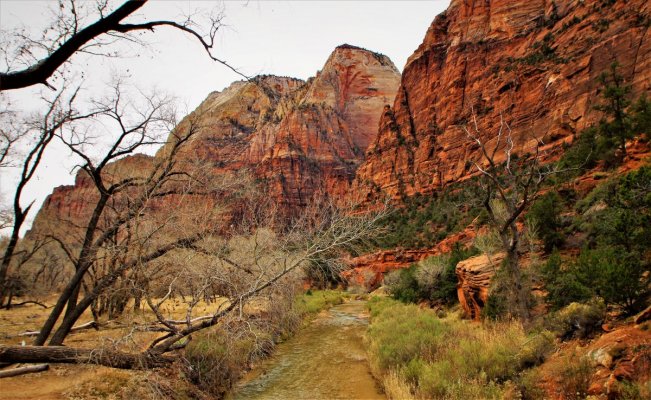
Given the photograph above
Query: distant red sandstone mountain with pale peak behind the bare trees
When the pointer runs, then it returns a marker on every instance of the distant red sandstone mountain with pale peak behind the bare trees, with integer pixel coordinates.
(297, 138)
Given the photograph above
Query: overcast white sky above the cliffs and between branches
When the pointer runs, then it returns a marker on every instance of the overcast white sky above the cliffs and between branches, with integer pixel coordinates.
(290, 38)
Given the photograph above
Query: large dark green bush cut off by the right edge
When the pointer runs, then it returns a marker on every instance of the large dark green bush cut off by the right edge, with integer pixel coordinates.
(618, 224)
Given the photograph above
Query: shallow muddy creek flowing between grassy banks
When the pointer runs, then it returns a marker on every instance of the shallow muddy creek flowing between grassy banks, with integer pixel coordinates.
(325, 360)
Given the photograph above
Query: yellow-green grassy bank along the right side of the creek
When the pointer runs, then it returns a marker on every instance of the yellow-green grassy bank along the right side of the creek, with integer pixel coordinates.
(416, 354)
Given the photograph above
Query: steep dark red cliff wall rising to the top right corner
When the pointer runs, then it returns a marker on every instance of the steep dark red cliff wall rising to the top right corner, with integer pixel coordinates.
(533, 62)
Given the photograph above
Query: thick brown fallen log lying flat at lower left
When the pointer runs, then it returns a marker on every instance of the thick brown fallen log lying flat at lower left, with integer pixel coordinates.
(71, 355)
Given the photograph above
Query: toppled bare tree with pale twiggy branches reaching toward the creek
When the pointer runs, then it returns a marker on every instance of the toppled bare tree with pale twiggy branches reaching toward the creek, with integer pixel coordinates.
(238, 267)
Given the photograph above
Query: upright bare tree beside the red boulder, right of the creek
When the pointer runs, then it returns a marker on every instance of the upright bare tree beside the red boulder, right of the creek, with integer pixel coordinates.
(511, 184)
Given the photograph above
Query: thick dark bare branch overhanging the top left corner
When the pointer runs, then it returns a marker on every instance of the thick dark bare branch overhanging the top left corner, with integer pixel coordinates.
(89, 27)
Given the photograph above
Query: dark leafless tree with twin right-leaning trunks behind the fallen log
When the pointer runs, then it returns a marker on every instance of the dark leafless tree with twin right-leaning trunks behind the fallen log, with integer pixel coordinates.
(138, 125)
